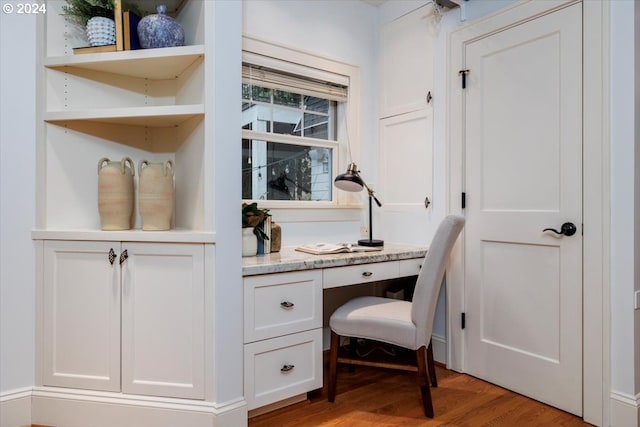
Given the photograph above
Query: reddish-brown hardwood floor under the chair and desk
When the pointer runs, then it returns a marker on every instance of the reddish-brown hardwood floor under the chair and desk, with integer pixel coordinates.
(381, 397)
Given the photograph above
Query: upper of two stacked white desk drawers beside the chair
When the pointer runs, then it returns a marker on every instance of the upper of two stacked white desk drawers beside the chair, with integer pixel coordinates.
(280, 304)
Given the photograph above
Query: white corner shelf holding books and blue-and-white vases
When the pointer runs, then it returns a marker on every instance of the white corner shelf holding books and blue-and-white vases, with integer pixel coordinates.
(156, 64)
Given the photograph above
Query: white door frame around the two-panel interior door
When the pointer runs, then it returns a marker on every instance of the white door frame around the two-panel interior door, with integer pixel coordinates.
(596, 177)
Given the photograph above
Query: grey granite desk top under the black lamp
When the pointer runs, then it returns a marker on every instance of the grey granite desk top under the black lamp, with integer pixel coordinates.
(288, 259)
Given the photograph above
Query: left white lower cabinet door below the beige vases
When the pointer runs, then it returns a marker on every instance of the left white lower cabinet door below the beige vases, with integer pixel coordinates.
(81, 315)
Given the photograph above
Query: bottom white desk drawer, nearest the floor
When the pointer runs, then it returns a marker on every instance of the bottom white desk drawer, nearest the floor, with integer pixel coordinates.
(282, 367)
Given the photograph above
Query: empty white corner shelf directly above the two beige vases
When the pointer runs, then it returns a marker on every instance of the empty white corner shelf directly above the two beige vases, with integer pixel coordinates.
(160, 116)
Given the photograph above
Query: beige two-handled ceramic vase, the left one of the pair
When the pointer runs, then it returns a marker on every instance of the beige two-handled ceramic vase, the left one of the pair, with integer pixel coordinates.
(115, 193)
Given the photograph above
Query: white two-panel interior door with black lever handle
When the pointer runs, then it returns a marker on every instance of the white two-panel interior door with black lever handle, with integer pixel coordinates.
(523, 173)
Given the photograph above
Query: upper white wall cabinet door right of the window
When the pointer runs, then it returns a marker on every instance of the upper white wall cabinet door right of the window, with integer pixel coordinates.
(407, 61)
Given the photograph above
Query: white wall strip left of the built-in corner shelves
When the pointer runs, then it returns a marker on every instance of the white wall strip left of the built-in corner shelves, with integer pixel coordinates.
(17, 200)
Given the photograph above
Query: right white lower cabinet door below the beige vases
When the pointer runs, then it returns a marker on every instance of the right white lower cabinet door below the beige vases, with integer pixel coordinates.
(163, 320)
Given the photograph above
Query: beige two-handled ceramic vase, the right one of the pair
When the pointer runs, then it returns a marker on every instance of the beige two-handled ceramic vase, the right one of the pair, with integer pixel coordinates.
(155, 194)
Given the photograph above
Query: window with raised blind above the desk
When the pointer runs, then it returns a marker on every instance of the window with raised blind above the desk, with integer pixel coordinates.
(289, 135)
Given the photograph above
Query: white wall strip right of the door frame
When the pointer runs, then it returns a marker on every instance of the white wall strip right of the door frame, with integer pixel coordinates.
(625, 261)
